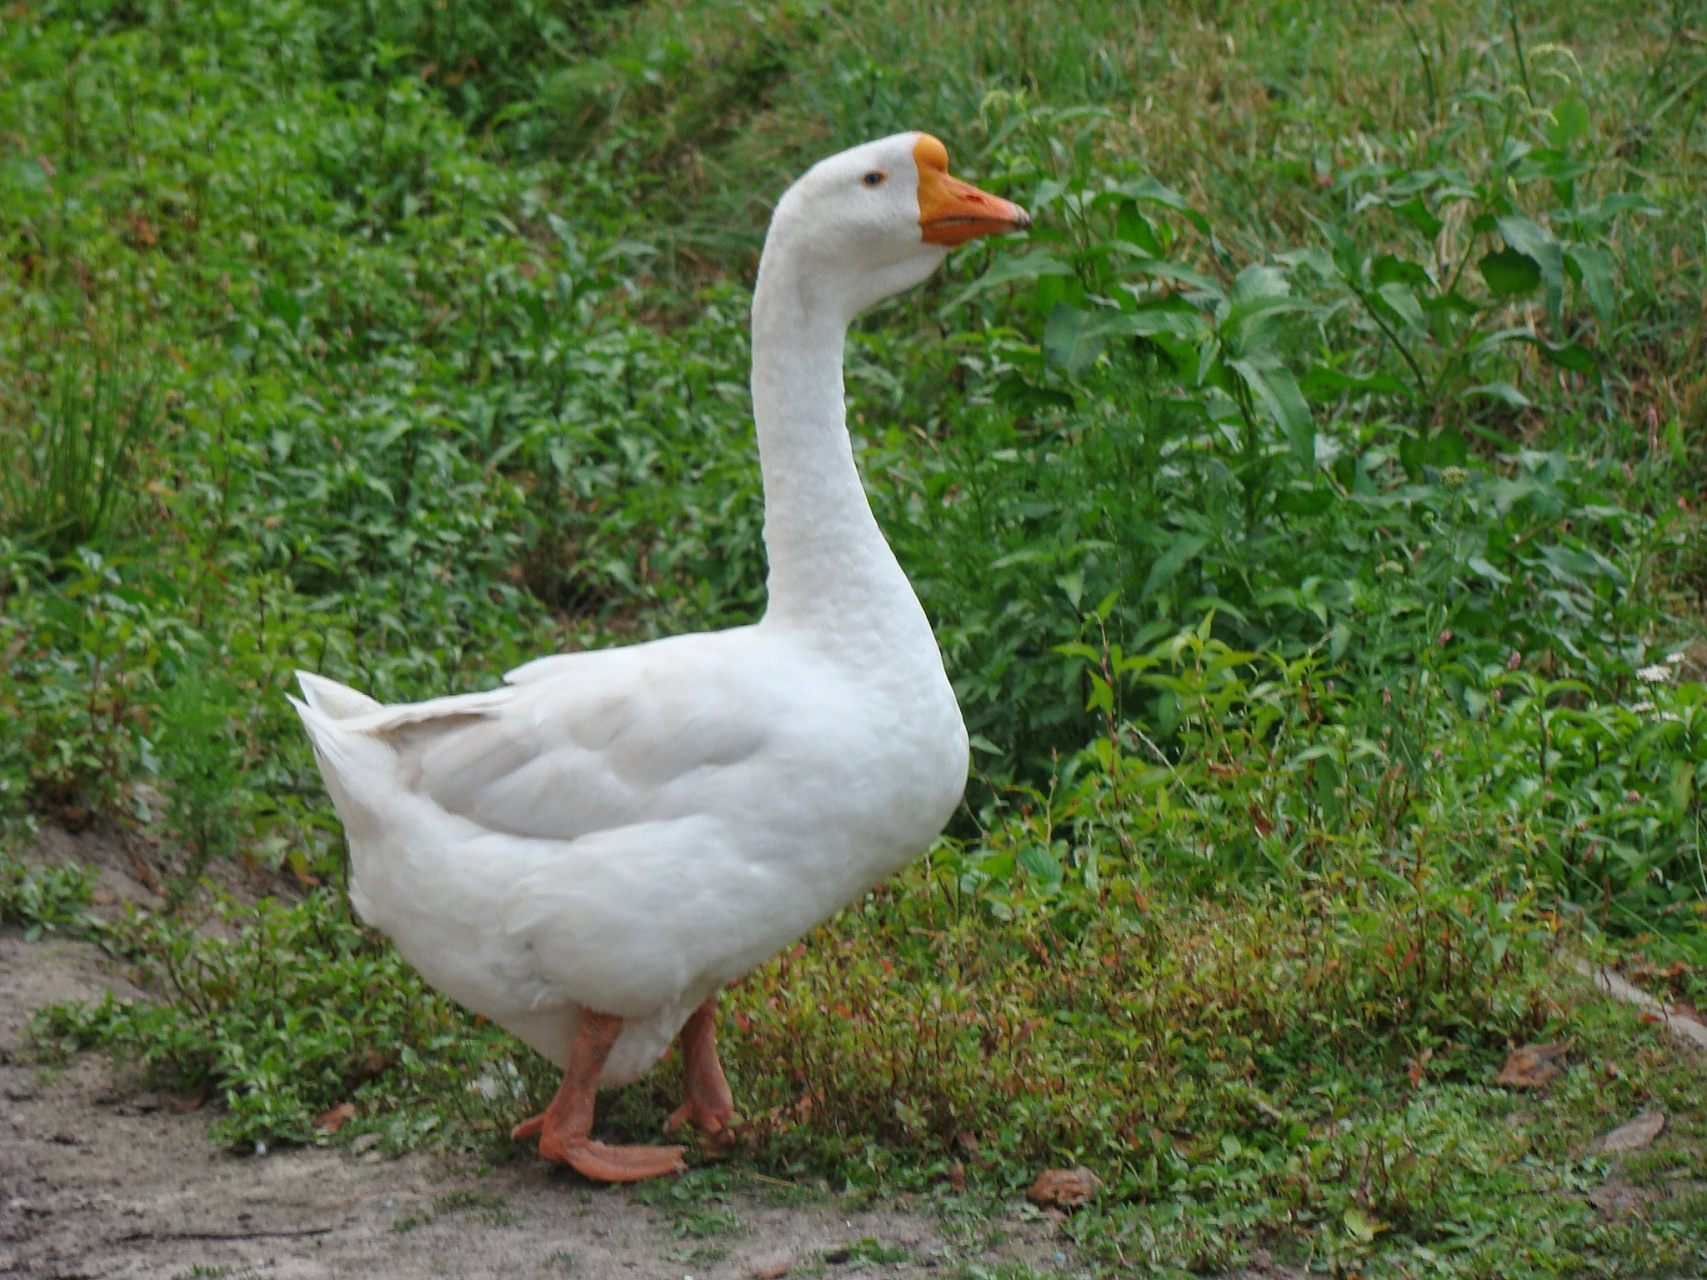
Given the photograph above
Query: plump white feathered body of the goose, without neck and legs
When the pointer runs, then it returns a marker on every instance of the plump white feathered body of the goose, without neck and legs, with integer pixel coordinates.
(632, 829)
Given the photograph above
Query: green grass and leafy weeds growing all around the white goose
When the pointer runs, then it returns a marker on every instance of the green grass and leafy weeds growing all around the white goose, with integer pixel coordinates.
(1308, 511)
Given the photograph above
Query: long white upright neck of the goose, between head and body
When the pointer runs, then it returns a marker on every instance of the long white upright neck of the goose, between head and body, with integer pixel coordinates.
(830, 567)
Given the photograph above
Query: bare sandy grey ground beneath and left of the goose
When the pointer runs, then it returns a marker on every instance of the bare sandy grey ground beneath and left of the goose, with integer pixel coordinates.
(102, 1178)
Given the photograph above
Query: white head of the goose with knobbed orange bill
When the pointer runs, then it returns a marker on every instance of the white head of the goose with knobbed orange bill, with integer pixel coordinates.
(878, 219)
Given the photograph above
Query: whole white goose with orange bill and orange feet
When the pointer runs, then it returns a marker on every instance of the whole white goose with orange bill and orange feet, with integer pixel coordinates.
(591, 852)
